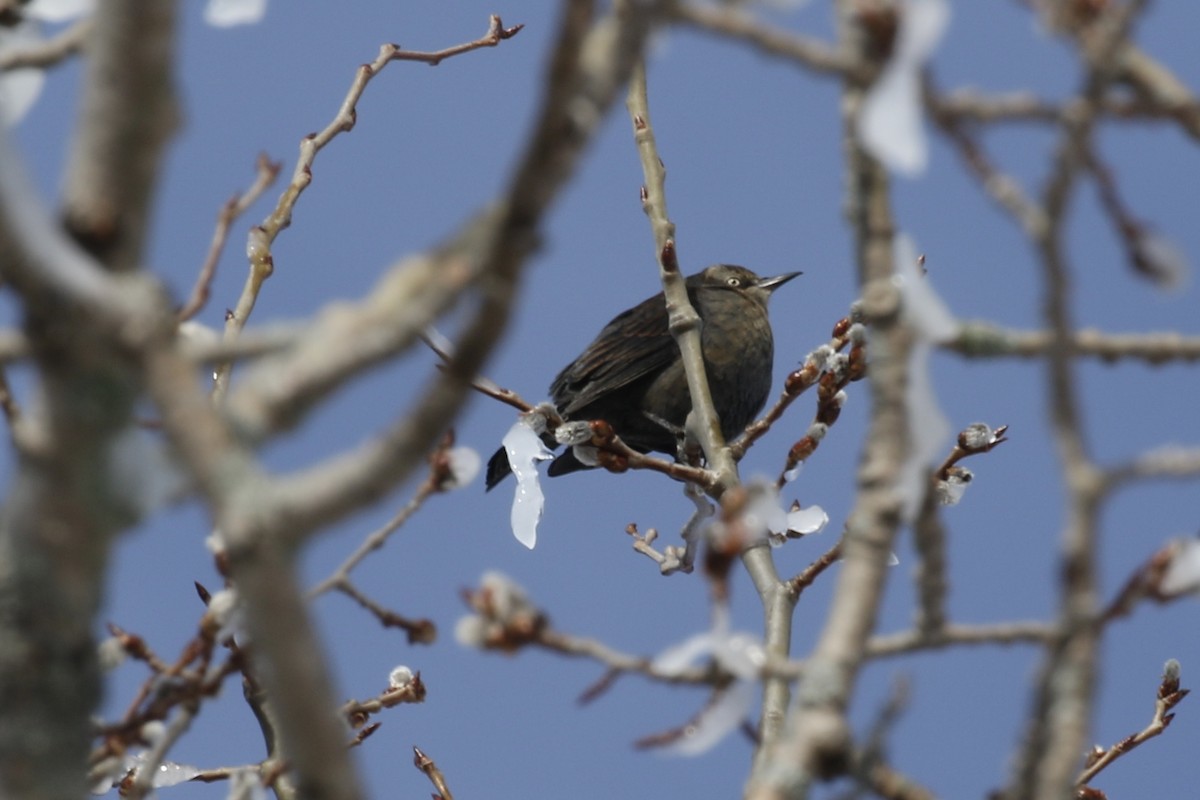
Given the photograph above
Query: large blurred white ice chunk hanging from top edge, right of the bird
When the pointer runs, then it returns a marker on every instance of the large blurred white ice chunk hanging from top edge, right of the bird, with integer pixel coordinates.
(890, 124)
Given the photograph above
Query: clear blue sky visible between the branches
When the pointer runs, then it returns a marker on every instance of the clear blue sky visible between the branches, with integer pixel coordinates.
(753, 147)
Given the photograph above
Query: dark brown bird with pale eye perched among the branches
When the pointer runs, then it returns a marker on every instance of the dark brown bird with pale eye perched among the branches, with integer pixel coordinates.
(632, 375)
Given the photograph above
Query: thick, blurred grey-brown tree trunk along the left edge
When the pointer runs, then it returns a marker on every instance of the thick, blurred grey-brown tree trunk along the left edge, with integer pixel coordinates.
(64, 509)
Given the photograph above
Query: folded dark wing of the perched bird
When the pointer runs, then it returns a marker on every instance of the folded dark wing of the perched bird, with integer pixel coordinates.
(634, 345)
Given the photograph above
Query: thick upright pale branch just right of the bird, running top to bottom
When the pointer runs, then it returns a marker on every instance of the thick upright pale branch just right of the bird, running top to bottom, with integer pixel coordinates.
(818, 743)
